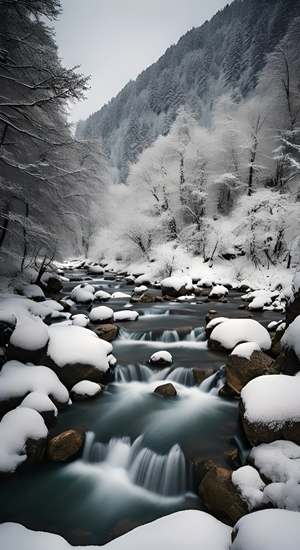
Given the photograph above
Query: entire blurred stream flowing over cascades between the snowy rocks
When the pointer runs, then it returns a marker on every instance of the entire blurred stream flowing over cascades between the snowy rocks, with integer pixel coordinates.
(136, 464)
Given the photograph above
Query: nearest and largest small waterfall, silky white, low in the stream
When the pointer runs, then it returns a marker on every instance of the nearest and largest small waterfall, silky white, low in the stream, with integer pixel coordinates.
(167, 475)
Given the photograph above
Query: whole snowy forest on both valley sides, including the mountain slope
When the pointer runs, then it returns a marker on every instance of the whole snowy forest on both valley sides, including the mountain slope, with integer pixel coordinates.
(207, 142)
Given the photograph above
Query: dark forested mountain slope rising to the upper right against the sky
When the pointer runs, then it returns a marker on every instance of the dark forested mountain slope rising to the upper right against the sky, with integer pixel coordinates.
(225, 53)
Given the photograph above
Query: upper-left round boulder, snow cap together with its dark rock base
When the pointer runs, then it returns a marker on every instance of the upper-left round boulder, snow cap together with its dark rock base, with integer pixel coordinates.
(28, 340)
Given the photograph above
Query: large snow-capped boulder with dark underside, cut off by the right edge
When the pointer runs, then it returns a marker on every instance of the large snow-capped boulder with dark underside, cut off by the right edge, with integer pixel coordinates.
(270, 408)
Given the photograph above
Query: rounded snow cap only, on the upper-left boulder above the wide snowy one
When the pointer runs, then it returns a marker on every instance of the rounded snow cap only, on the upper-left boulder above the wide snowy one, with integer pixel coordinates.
(30, 334)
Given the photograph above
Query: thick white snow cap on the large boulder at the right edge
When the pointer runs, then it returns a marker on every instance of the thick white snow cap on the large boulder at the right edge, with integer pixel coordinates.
(272, 399)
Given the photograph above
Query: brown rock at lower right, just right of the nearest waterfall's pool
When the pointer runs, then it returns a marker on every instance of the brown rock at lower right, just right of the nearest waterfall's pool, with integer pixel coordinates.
(221, 497)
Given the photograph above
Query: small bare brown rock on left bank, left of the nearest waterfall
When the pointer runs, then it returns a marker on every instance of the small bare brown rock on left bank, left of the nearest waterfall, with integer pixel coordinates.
(65, 446)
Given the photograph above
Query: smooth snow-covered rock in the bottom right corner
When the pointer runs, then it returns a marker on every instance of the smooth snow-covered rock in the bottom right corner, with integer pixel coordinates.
(267, 530)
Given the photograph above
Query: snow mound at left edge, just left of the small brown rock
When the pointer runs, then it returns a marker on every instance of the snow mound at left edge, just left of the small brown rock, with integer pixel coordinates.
(16, 427)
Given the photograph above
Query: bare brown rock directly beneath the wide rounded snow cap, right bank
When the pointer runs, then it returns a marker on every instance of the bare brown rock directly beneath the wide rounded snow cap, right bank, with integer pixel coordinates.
(240, 370)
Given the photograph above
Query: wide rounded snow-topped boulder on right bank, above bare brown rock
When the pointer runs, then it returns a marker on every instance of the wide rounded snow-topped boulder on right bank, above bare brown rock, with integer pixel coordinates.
(227, 335)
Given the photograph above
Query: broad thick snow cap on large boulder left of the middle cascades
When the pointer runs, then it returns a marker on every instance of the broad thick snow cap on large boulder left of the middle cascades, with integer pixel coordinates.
(72, 344)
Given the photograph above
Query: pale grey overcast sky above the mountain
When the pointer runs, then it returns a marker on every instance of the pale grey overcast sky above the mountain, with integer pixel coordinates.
(114, 40)
